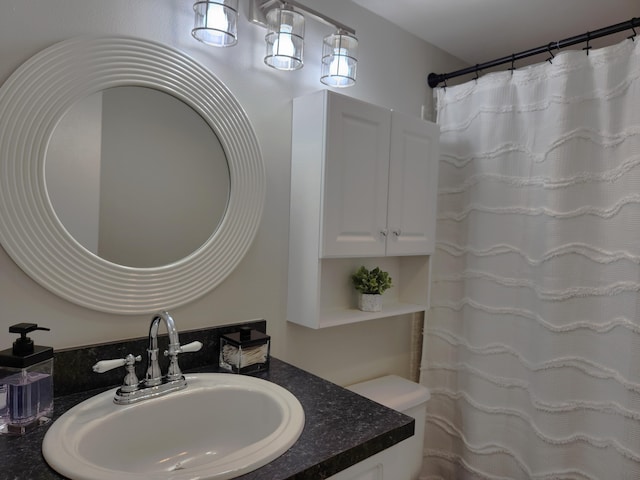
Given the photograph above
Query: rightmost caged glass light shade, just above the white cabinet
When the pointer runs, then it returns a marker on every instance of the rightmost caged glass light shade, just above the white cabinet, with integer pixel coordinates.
(339, 61)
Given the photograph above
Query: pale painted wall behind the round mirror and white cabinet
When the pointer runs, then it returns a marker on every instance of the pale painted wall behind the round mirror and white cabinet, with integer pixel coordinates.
(392, 72)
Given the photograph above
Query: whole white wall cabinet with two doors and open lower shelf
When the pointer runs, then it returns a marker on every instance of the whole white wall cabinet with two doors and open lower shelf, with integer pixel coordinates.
(363, 192)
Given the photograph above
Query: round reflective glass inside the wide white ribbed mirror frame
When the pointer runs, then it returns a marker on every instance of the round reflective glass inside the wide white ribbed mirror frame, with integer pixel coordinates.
(136, 176)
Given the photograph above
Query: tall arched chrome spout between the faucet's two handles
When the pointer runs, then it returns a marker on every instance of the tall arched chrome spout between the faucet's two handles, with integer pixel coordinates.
(154, 375)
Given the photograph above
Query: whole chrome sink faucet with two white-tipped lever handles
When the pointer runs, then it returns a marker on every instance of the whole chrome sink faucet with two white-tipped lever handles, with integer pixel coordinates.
(154, 384)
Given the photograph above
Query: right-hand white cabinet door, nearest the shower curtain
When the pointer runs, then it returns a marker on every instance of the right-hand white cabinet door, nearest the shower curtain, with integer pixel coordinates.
(413, 183)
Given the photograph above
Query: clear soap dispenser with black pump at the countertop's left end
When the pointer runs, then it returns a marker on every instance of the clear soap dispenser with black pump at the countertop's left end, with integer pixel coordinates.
(26, 383)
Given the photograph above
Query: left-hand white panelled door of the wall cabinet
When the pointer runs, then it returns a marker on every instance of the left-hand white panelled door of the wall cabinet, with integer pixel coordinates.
(356, 178)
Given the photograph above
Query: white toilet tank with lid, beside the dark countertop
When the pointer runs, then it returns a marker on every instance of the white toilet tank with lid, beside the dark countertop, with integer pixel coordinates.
(409, 398)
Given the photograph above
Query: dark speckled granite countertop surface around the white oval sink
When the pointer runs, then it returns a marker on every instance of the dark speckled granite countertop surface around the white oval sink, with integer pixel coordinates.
(341, 429)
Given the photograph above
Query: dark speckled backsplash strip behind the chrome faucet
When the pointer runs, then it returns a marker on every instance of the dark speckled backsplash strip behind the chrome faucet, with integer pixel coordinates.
(72, 371)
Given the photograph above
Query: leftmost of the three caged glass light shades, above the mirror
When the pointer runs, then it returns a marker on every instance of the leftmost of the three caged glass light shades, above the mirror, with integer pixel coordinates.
(216, 22)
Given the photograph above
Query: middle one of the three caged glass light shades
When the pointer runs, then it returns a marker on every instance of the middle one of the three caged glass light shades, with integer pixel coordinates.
(285, 39)
